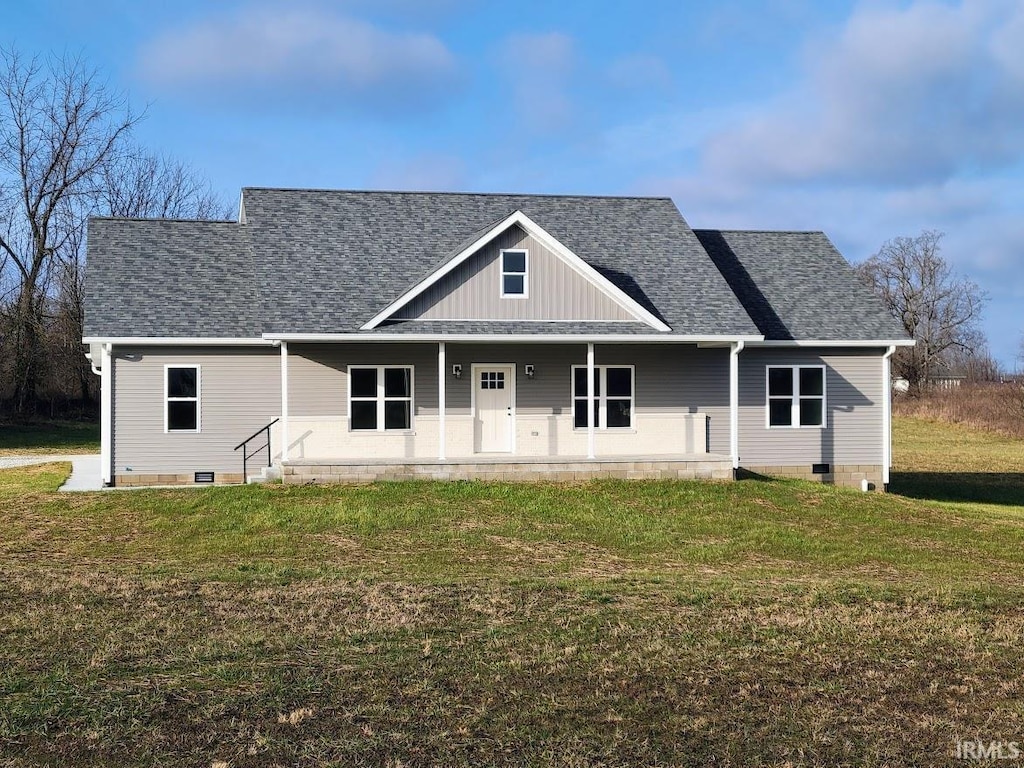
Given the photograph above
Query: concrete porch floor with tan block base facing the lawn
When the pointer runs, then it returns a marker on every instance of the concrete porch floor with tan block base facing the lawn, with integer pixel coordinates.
(516, 468)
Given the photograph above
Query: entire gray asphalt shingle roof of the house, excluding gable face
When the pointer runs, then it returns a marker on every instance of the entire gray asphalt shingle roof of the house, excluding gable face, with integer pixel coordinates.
(324, 262)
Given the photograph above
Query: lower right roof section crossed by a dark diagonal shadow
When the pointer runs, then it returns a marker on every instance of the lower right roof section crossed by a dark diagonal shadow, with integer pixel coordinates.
(798, 286)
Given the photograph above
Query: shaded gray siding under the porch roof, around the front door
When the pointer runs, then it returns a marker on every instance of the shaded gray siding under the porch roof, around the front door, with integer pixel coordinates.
(669, 378)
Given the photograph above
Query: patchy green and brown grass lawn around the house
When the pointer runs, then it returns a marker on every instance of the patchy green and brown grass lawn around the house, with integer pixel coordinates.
(756, 623)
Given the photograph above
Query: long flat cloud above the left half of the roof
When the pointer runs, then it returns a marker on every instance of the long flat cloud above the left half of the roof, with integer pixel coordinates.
(298, 54)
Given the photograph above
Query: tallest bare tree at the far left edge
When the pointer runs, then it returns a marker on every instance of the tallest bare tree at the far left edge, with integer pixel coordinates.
(60, 129)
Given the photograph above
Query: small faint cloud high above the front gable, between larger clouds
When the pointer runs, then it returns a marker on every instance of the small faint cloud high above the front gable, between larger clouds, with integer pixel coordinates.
(539, 68)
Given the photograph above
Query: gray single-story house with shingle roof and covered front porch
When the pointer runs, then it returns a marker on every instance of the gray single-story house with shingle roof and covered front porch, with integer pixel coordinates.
(396, 335)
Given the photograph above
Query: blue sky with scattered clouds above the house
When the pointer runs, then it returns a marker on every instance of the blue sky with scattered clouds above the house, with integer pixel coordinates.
(868, 120)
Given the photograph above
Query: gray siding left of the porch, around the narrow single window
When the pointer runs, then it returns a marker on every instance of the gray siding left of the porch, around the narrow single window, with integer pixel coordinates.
(240, 392)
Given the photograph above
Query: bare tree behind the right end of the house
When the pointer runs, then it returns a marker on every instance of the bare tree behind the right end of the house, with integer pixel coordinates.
(940, 310)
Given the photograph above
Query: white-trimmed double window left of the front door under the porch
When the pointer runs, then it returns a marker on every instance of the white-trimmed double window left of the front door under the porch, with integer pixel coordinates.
(380, 398)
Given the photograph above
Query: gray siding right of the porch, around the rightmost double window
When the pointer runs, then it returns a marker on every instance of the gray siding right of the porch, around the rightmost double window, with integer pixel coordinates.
(854, 404)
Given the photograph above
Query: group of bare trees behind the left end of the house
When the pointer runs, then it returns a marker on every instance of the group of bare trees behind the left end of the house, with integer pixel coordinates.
(67, 153)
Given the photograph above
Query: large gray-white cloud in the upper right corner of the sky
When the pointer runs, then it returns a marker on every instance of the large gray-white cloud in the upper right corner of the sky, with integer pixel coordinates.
(903, 95)
